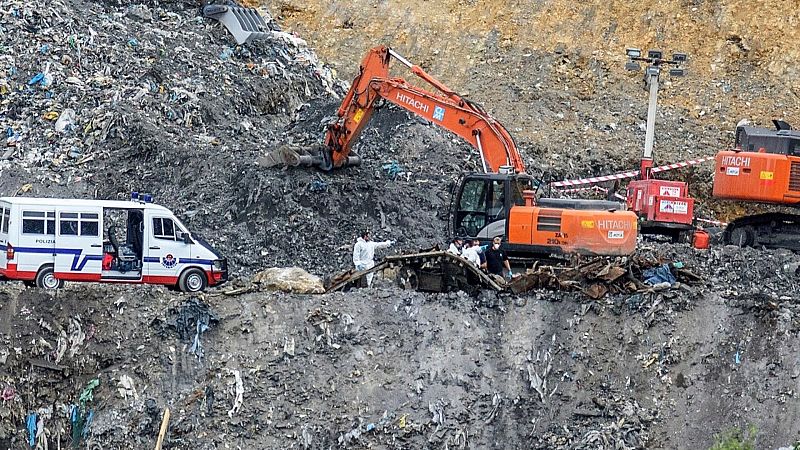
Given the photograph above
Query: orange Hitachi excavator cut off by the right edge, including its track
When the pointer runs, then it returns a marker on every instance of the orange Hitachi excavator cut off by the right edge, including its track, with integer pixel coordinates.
(764, 167)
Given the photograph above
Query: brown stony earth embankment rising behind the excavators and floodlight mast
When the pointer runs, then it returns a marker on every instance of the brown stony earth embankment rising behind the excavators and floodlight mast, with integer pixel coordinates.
(552, 71)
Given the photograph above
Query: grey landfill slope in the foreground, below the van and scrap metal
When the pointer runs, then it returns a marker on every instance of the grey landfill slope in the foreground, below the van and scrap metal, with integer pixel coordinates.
(395, 369)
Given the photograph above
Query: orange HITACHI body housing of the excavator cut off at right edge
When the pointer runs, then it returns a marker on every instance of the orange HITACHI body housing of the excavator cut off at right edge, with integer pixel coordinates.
(757, 177)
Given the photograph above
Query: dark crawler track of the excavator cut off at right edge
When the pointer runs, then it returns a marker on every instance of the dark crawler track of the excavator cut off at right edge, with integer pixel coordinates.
(770, 230)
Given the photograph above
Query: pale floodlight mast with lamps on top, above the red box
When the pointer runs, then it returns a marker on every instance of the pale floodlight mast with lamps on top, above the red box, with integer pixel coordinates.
(655, 60)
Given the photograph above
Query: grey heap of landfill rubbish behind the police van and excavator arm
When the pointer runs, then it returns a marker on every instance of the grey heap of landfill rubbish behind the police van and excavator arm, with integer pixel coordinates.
(156, 99)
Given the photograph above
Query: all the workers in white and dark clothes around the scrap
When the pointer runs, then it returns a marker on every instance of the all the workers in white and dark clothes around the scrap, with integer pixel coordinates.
(493, 259)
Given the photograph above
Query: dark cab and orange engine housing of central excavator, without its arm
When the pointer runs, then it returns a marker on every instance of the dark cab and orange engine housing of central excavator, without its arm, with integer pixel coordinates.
(505, 204)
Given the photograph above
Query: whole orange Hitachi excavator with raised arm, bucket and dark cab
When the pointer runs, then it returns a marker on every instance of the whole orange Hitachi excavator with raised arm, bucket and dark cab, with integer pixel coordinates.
(499, 202)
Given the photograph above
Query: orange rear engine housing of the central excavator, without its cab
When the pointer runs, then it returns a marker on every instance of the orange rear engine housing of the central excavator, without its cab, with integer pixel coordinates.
(572, 231)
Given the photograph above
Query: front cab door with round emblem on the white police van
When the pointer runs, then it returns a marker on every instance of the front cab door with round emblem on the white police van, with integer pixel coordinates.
(165, 253)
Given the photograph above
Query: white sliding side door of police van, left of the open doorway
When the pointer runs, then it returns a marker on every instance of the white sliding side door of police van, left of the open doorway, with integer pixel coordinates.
(79, 243)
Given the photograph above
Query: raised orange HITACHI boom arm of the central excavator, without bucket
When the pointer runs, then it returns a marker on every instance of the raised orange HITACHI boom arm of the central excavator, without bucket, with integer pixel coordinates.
(443, 107)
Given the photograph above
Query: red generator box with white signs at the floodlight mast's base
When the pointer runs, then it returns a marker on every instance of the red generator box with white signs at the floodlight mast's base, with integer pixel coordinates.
(661, 201)
